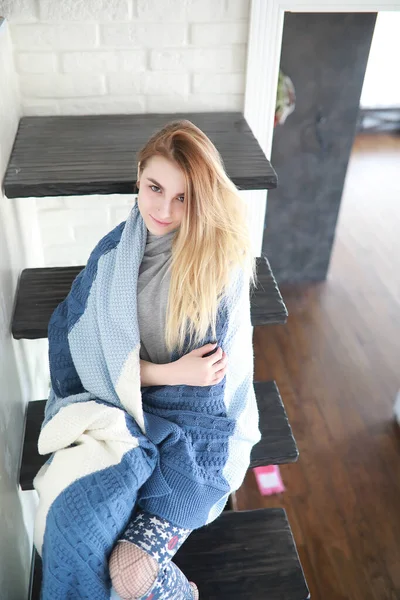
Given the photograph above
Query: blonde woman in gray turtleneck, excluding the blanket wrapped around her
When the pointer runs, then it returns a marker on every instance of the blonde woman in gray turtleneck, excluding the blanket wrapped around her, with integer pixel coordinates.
(196, 231)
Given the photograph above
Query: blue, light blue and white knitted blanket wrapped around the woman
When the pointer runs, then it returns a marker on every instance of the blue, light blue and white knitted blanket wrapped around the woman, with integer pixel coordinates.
(175, 451)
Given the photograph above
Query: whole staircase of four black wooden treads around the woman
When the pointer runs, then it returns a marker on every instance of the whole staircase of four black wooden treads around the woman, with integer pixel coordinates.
(243, 554)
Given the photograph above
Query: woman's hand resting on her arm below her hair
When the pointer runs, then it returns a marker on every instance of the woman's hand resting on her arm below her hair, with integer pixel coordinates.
(193, 369)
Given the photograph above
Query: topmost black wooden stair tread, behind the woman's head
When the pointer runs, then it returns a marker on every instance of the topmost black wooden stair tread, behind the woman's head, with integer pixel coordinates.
(96, 154)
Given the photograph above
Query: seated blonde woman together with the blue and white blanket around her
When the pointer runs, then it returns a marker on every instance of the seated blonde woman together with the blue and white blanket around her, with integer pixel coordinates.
(196, 416)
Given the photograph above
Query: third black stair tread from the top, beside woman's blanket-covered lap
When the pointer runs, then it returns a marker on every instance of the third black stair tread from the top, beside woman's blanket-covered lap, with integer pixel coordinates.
(277, 445)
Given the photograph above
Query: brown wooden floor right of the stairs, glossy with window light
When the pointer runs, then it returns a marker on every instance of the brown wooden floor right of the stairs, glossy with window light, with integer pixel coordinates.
(337, 366)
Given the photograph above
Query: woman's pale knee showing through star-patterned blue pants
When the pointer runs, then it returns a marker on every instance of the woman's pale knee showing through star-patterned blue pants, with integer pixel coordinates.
(132, 570)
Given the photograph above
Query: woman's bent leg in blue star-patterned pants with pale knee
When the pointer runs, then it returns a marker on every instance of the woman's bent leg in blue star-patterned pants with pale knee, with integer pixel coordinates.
(140, 564)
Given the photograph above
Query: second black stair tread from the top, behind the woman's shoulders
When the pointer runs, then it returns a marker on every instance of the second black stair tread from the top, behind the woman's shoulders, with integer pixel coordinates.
(40, 290)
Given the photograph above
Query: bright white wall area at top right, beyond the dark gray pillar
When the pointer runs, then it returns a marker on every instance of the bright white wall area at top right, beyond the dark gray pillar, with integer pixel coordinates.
(381, 87)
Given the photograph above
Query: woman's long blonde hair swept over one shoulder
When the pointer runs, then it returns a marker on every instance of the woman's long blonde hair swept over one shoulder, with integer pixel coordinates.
(213, 238)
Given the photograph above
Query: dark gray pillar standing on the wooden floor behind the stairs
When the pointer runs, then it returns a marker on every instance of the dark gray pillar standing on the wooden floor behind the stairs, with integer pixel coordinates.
(325, 55)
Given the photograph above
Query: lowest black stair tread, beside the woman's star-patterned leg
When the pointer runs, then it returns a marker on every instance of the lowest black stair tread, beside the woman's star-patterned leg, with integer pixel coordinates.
(246, 555)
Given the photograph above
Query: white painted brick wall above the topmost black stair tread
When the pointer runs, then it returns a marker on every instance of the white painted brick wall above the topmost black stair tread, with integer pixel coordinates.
(118, 56)
